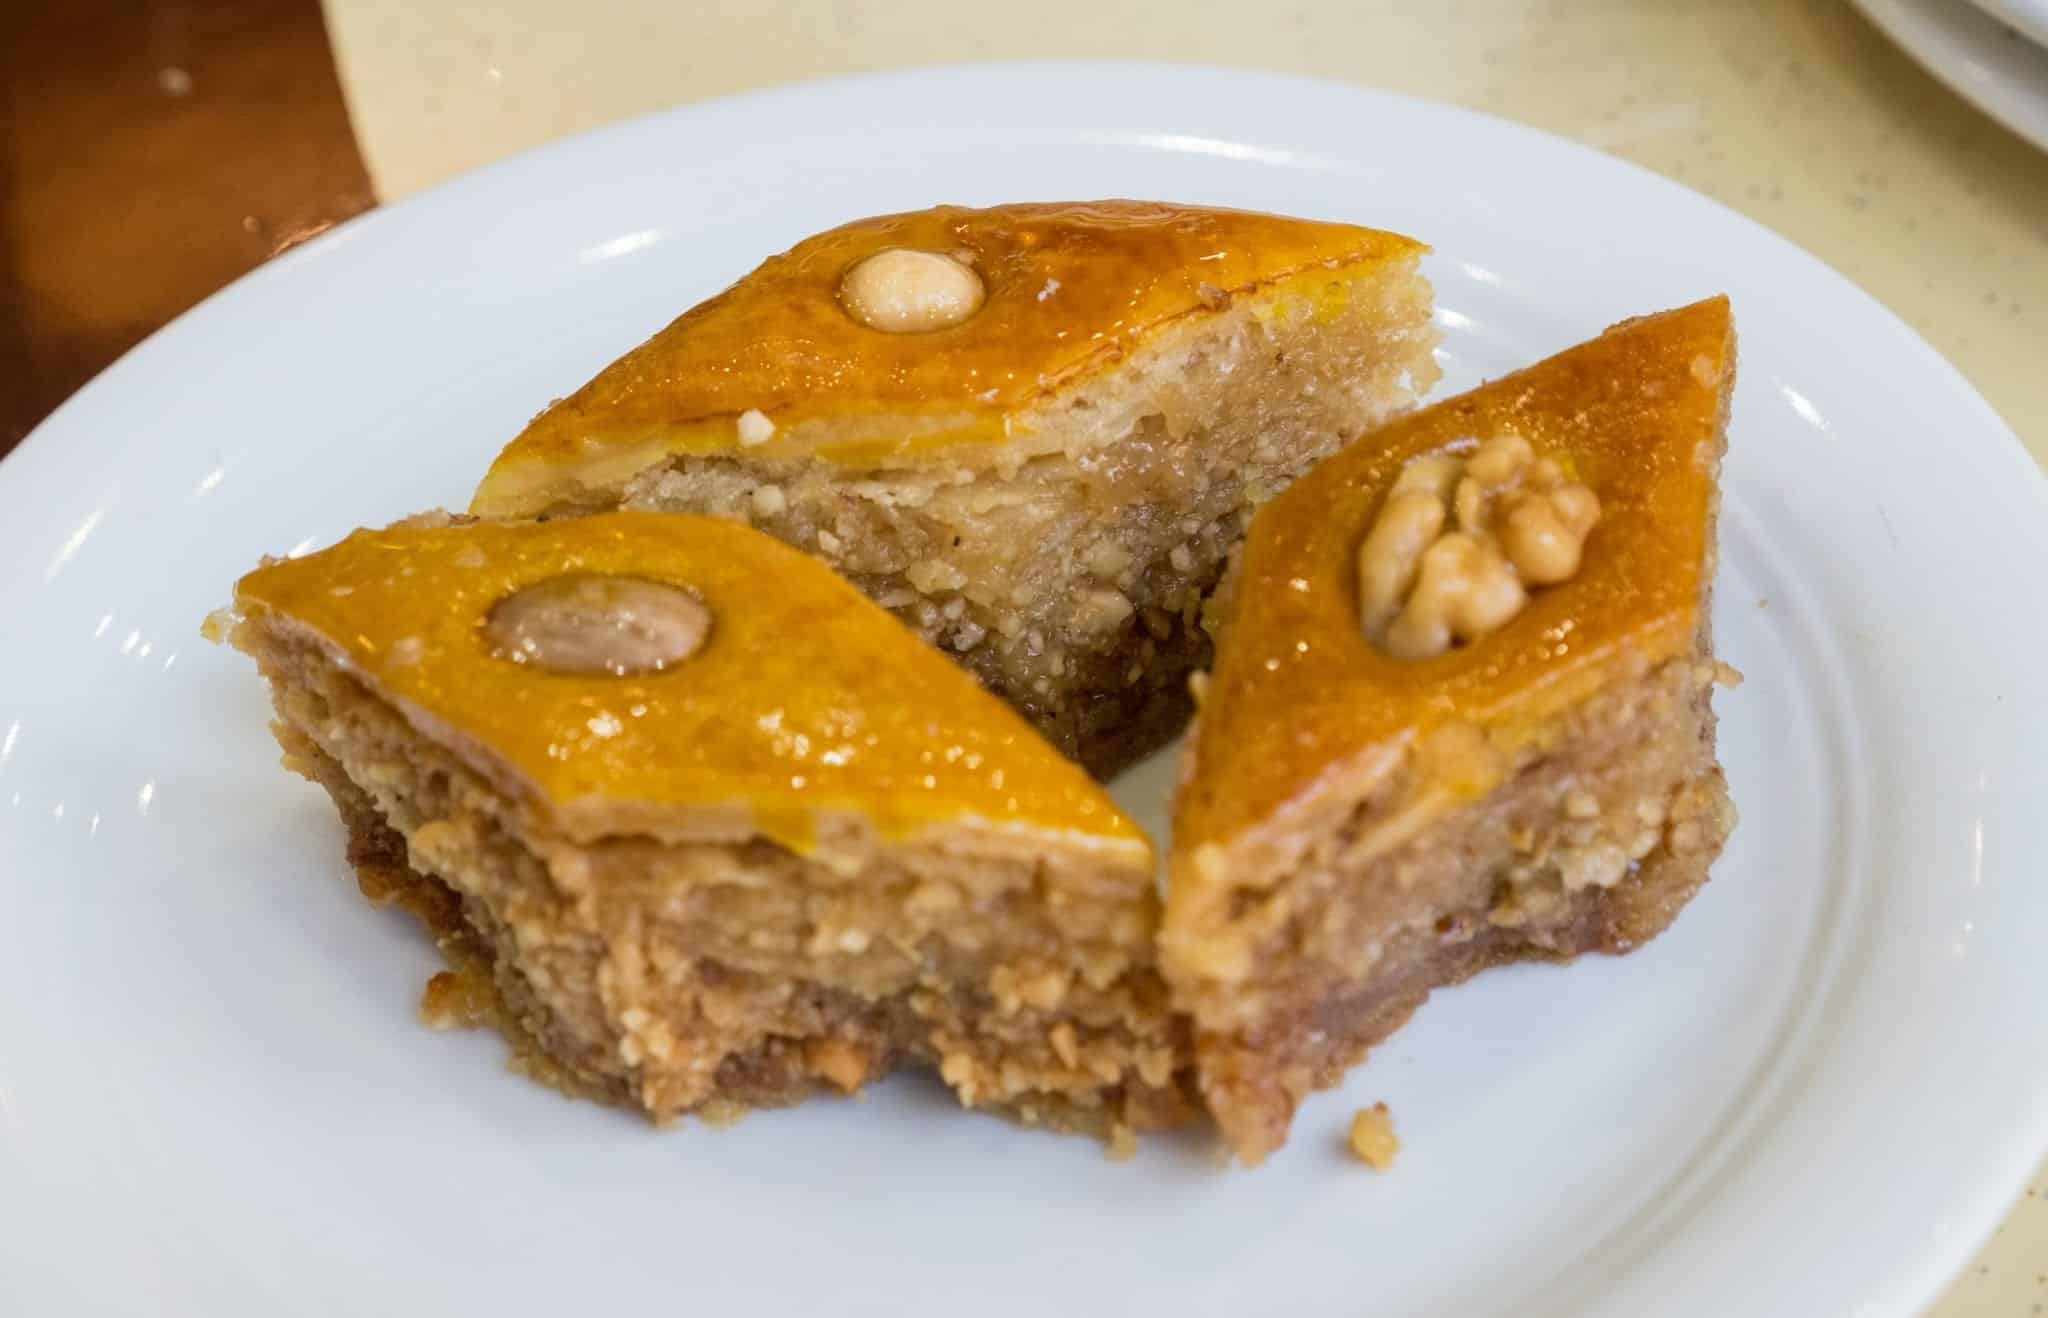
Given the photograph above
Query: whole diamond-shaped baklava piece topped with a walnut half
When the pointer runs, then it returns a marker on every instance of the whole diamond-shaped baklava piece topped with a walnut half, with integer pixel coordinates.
(1461, 713)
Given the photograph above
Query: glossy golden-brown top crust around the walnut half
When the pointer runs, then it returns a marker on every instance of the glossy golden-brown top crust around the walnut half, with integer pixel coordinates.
(1637, 414)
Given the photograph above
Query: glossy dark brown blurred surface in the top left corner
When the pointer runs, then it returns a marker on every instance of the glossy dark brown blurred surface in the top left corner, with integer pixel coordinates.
(151, 152)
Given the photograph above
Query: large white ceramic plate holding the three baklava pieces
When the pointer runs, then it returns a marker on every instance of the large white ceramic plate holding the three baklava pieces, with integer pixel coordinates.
(1811, 1098)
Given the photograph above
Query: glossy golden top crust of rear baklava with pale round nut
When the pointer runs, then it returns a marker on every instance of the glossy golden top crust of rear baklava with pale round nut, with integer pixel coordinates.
(781, 363)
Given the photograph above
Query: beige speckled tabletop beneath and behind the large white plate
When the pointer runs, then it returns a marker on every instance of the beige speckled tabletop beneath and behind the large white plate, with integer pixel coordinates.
(1795, 112)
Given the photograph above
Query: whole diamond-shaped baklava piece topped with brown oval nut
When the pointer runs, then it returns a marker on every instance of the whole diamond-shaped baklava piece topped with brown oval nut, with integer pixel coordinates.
(687, 887)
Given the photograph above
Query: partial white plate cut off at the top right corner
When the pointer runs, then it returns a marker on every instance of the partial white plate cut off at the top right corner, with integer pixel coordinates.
(1990, 64)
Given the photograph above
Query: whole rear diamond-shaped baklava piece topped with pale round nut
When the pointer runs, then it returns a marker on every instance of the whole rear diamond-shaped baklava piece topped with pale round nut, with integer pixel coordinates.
(1033, 433)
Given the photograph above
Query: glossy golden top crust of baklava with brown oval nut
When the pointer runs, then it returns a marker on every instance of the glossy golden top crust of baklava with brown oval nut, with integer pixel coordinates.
(804, 703)
